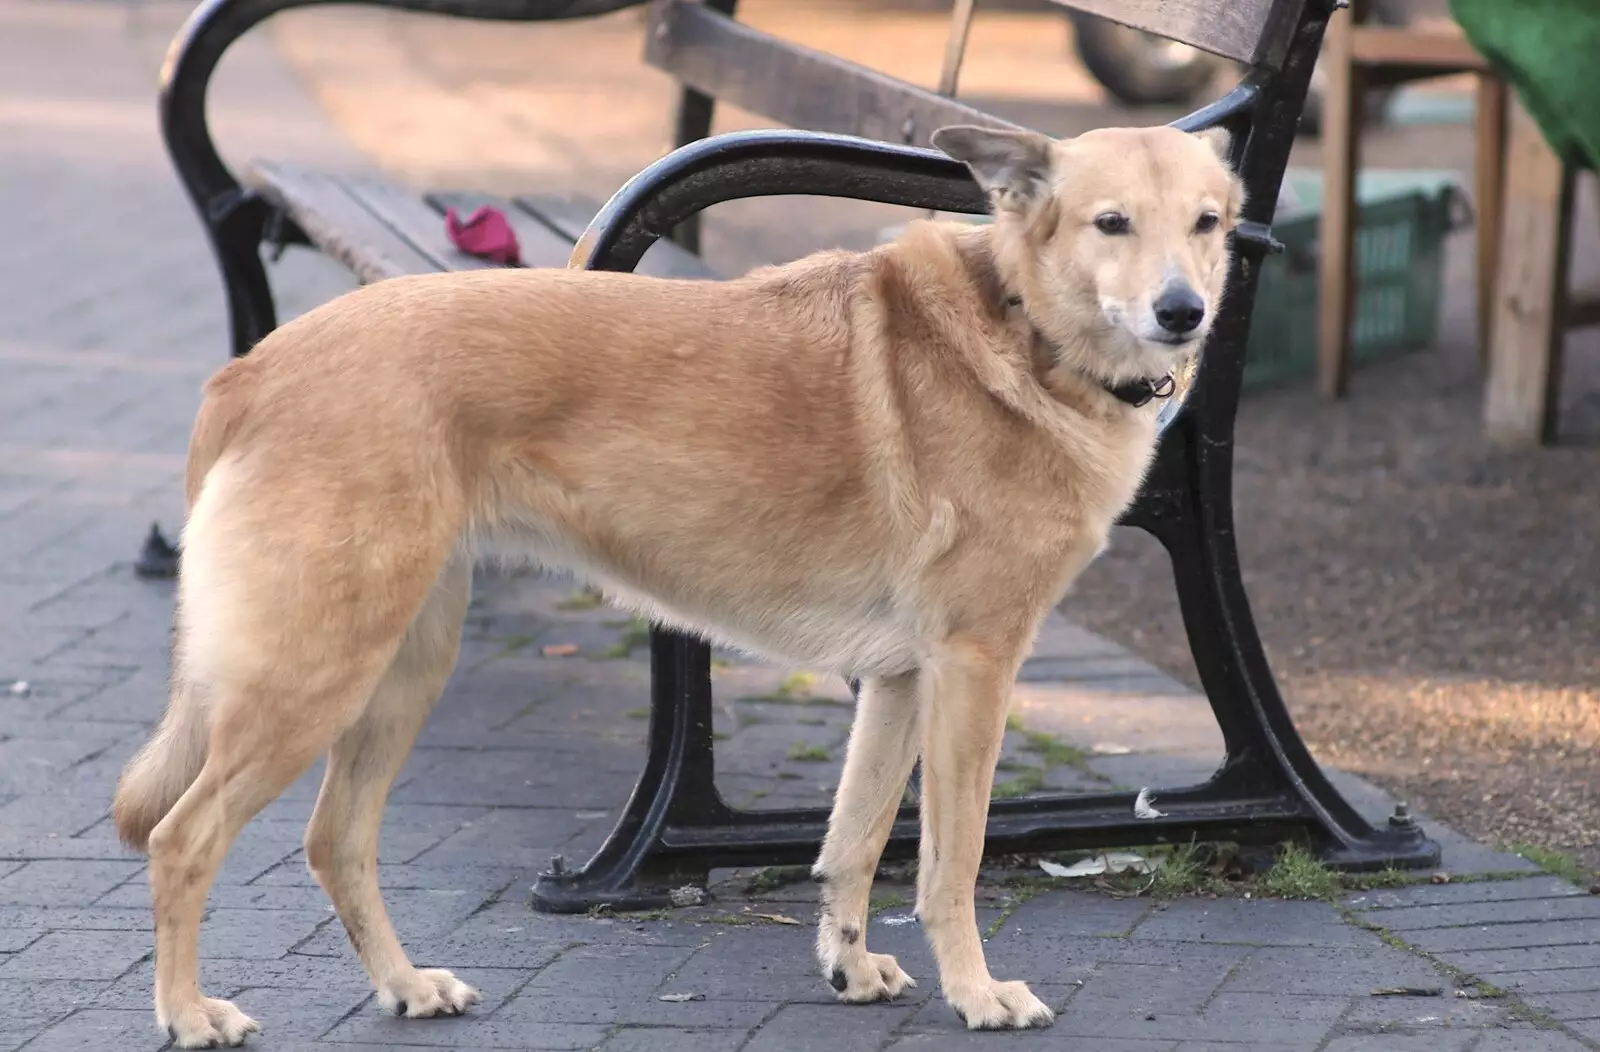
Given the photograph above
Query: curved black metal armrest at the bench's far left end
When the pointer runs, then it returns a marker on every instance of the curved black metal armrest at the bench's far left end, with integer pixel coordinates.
(217, 25)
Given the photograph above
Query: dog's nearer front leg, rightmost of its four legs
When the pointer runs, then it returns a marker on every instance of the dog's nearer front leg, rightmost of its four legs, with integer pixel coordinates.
(964, 709)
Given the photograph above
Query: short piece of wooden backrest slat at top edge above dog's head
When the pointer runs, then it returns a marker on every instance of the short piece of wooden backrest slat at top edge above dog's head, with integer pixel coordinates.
(1249, 31)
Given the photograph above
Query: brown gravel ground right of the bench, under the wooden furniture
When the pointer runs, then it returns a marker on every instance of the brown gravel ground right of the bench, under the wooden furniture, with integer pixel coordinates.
(1428, 604)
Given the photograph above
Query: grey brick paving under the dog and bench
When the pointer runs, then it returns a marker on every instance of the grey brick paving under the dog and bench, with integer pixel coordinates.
(110, 321)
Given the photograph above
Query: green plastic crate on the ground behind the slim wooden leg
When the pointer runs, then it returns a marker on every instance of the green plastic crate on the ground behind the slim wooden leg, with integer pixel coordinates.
(1399, 271)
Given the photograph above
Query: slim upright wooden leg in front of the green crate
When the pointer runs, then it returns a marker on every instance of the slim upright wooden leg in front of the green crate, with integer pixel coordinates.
(1342, 159)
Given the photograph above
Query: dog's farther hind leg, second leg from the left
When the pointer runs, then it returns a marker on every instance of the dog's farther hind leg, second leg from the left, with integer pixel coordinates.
(342, 842)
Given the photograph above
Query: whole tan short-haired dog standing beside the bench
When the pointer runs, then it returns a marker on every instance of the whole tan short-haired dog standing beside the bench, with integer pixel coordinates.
(890, 464)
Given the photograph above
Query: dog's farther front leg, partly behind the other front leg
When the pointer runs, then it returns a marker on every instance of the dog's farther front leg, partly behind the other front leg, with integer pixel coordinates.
(879, 760)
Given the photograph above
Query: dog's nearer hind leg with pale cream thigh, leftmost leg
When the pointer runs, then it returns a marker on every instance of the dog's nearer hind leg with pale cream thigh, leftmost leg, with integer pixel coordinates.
(287, 626)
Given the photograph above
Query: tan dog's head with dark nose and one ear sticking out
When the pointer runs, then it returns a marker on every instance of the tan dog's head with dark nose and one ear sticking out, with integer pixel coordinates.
(1116, 241)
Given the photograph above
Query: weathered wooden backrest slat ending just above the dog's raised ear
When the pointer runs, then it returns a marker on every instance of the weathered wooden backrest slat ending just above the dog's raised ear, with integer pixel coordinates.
(796, 86)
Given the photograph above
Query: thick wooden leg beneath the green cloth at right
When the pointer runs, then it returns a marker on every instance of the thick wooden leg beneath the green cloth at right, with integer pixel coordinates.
(1526, 341)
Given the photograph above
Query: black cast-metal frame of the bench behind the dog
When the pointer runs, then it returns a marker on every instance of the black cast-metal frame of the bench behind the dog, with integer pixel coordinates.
(676, 826)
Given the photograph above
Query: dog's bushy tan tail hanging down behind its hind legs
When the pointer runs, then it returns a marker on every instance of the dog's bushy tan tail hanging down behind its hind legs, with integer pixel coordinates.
(172, 760)
